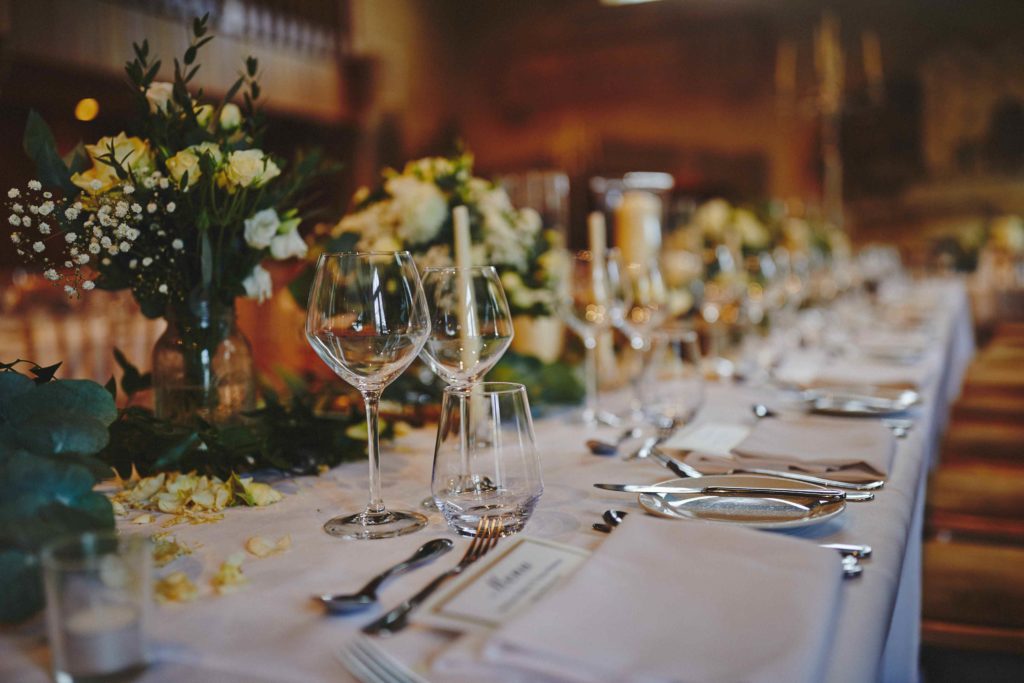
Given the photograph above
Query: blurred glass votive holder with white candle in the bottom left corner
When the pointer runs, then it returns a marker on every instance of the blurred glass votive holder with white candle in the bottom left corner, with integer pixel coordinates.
(99, 592)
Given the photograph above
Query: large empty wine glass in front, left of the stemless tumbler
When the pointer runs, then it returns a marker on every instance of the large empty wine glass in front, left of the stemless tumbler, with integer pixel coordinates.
(368, 320)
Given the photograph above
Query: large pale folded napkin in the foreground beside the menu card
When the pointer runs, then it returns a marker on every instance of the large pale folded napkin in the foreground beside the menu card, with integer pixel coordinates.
(673, 602)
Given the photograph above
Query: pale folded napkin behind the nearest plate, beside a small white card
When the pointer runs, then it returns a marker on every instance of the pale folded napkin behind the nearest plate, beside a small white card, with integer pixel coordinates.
(815, 444)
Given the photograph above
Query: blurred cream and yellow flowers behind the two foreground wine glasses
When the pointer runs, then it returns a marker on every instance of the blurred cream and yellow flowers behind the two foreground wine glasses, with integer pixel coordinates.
(413, 210)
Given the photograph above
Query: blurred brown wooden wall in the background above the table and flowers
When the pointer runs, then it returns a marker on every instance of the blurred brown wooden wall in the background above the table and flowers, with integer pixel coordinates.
(723, 95)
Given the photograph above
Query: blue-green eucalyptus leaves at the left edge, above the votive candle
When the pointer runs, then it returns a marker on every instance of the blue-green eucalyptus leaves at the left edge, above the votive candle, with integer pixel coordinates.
(50, 433)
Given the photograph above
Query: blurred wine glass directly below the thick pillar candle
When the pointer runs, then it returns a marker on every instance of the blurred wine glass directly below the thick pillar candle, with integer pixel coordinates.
(646, 292)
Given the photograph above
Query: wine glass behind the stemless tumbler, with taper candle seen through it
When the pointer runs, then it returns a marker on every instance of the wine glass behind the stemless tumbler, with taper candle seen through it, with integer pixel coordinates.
(472, 329)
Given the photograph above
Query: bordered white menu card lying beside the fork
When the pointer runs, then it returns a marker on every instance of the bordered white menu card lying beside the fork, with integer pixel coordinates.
(501, 585)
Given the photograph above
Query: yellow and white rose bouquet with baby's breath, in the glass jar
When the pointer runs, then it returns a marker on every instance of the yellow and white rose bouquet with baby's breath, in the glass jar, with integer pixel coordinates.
(185, 208)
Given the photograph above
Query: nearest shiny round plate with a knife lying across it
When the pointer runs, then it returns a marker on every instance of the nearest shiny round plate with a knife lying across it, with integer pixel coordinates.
(759, 513)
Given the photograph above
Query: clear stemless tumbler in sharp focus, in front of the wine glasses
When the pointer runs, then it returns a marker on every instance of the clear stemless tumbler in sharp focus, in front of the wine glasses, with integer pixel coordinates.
(486, 461)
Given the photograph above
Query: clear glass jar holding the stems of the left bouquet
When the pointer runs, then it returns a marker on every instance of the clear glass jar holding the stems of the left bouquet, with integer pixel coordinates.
(203, 367)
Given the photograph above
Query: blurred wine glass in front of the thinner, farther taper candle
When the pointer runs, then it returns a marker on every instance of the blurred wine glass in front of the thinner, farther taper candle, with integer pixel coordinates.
(591, 302)
